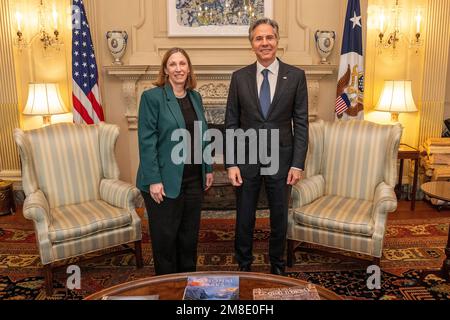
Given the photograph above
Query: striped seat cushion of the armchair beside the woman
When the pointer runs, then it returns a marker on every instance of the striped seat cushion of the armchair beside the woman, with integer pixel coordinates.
(85, 219)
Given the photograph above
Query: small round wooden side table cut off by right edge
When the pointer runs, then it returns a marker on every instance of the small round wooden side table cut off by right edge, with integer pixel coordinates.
(440, 190)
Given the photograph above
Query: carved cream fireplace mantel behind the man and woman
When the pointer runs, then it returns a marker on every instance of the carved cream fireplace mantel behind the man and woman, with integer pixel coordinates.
(213, 84)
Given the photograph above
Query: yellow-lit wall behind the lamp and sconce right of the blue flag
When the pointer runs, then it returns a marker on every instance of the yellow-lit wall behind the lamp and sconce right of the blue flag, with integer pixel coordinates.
(426, 67)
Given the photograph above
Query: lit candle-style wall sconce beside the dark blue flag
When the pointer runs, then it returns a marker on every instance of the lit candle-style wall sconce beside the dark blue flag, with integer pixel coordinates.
(390, 39)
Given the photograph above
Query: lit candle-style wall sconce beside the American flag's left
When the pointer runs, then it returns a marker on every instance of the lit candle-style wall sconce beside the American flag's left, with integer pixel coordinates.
(44, 24)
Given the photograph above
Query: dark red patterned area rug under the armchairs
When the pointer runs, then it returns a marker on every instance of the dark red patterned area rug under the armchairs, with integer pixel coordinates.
(410, 246)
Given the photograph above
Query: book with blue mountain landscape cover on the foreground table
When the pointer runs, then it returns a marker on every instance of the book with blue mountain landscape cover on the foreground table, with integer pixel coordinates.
(212, 288)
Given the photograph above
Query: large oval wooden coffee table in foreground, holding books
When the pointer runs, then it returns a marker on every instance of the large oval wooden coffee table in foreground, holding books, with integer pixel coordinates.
(171, 287)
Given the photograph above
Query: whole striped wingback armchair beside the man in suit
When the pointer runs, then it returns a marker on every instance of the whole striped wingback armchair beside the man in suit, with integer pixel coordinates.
(350, 174)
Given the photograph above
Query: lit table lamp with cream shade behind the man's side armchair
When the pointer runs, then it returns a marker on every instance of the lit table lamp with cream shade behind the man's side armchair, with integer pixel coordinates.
(396, 98)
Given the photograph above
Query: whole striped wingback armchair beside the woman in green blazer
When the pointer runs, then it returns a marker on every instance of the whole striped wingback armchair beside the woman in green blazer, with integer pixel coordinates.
(73, 193)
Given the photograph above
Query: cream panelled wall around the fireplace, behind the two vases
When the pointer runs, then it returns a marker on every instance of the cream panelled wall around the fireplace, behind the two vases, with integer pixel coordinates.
(145, 22)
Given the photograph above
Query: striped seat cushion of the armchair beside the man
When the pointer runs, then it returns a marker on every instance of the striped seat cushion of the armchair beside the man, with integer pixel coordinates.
(338, 214)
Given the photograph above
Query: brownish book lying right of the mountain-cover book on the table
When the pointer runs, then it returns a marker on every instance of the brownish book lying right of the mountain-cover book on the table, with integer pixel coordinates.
(307, 292)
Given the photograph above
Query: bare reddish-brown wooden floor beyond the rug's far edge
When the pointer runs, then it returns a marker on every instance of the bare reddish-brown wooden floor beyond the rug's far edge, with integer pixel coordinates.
(424, 210)
